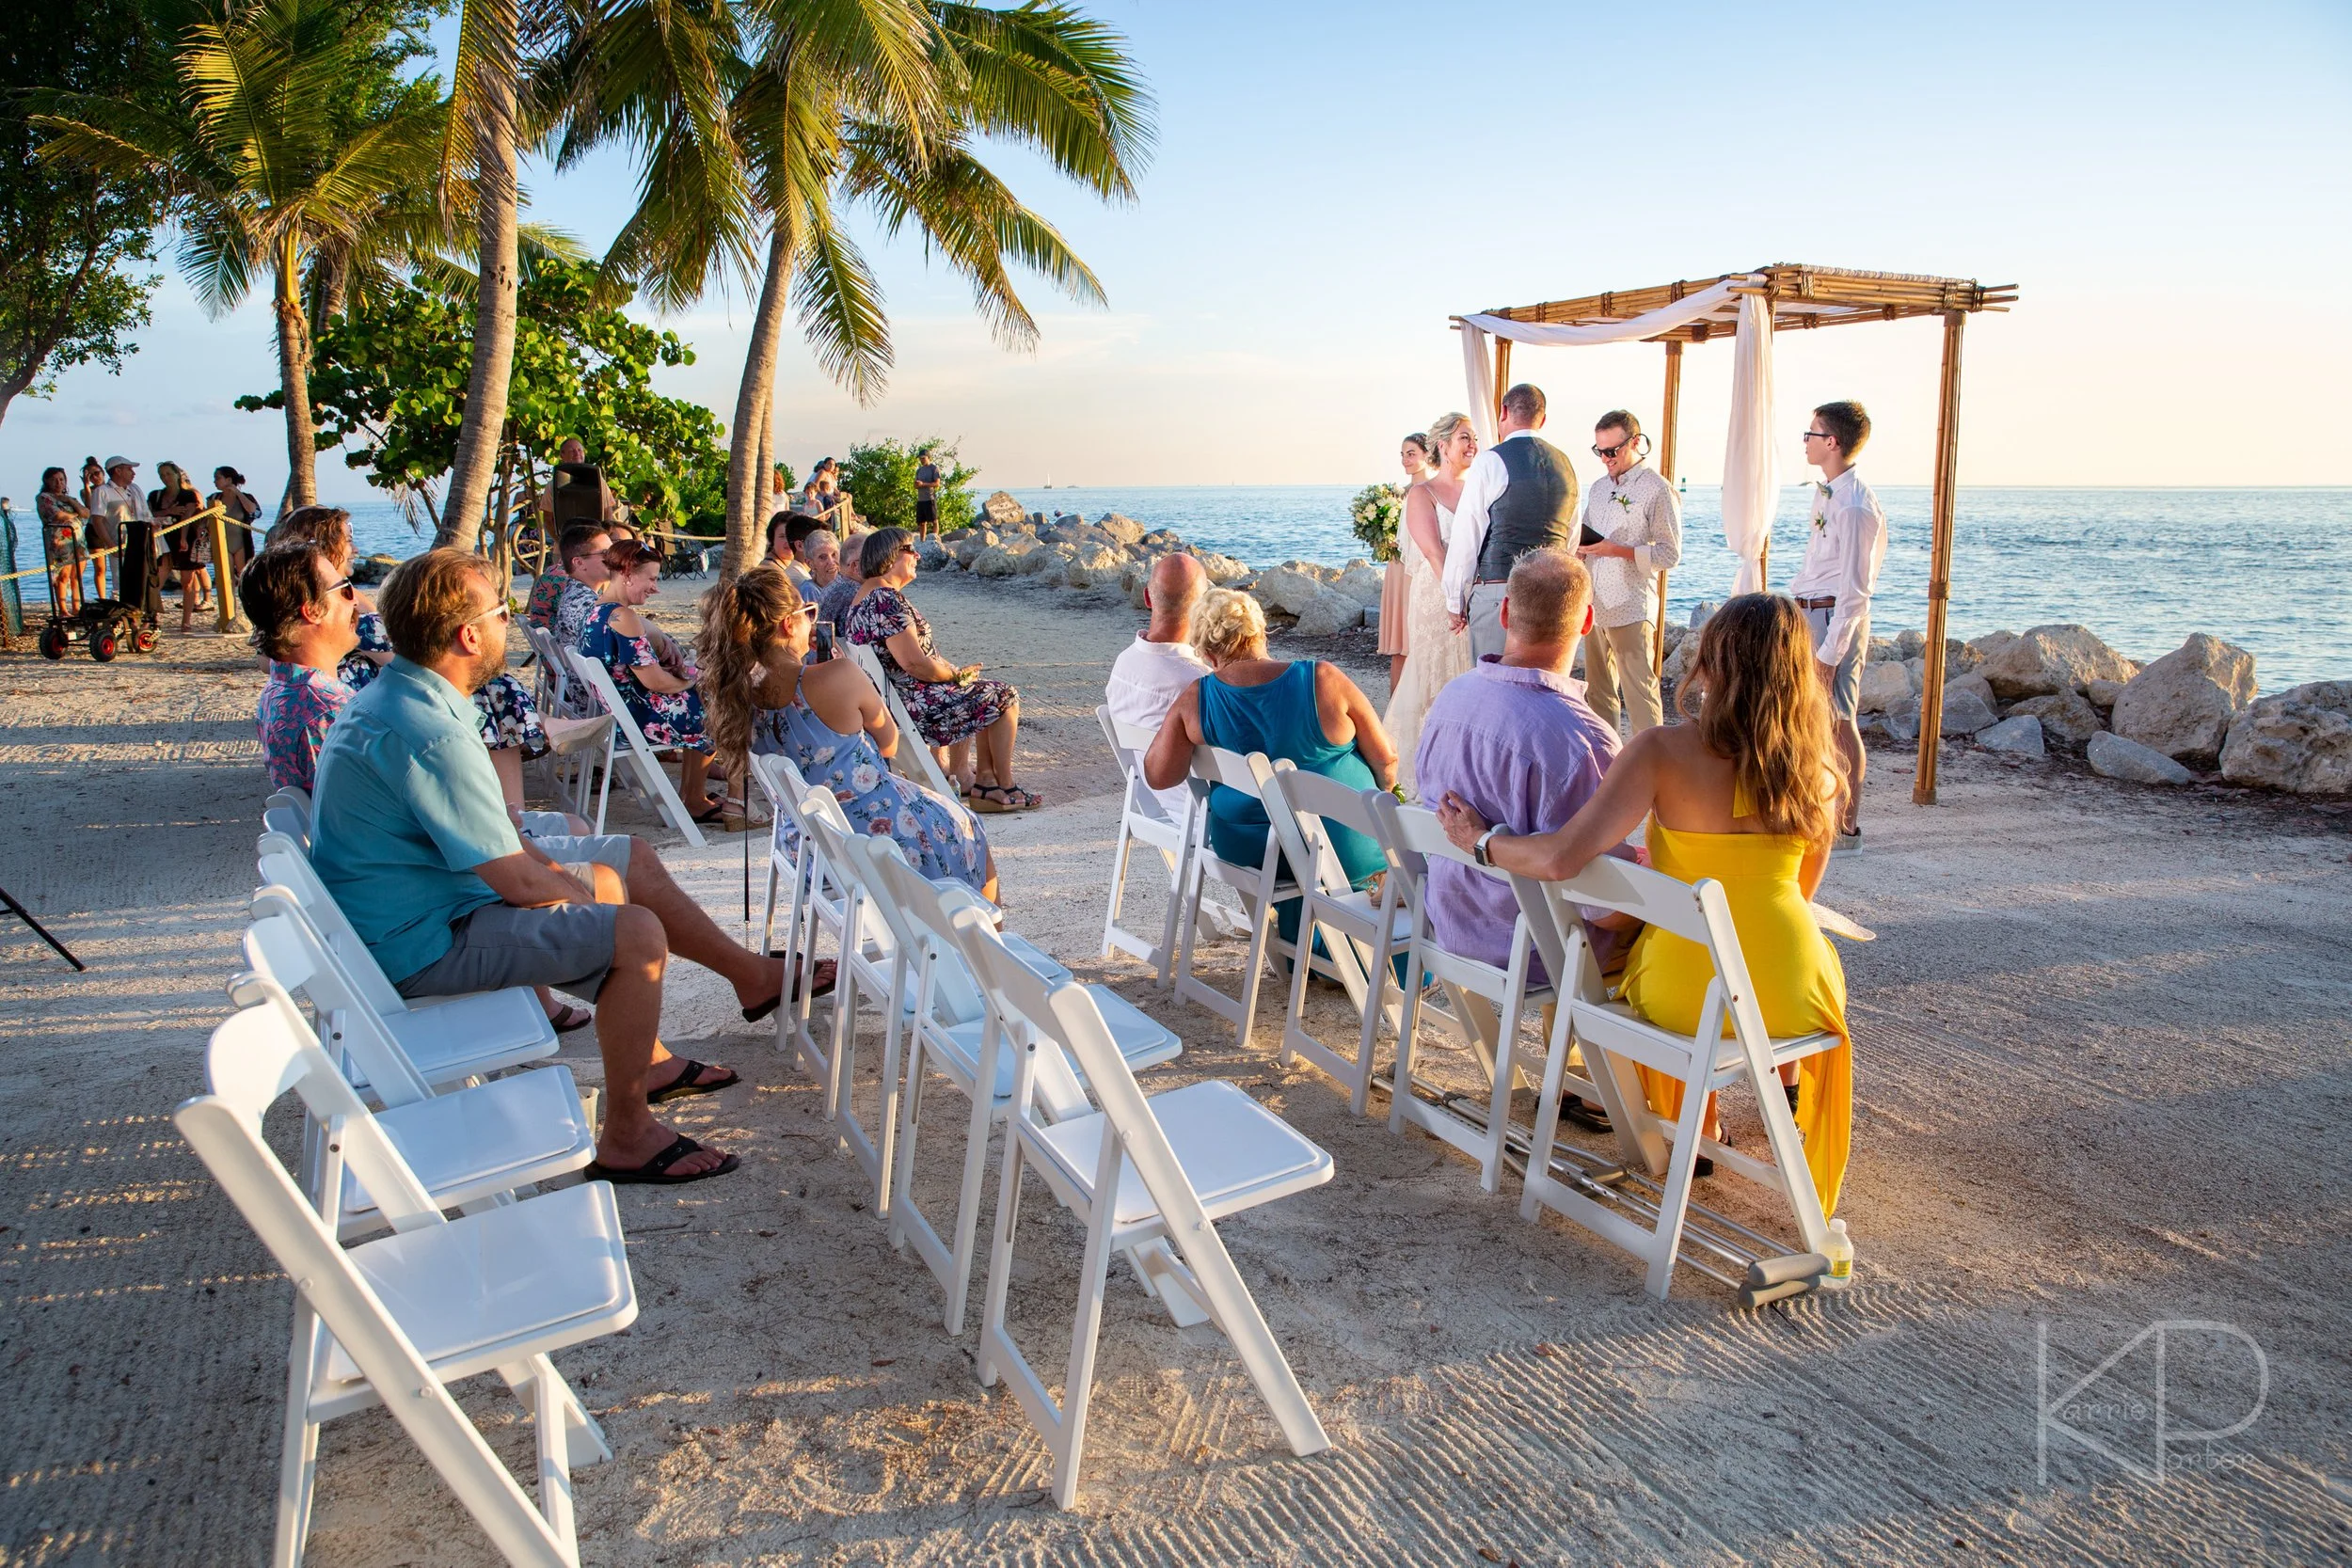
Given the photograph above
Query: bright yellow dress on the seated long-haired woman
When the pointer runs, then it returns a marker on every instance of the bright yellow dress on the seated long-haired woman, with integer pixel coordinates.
(1798, 979)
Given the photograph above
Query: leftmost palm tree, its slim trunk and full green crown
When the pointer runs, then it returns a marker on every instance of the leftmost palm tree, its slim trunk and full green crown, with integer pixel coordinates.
(288, 147)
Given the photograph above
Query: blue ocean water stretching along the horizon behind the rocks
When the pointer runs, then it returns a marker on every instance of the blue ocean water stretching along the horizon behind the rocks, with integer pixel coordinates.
(2269, 570)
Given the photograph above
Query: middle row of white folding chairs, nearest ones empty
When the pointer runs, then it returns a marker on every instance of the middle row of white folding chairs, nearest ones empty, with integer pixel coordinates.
(1055, 1066)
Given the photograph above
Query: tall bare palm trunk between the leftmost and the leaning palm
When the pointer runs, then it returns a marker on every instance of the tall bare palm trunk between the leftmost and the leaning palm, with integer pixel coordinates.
(495, 309)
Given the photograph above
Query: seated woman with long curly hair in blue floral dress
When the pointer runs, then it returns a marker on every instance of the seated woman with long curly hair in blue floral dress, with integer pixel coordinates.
(829, 721)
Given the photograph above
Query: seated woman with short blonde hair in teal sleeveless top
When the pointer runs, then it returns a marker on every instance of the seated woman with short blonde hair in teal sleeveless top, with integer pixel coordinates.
(1302, 711)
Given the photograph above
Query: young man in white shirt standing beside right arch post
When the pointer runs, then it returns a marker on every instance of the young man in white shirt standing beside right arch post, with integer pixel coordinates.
(1843, 554)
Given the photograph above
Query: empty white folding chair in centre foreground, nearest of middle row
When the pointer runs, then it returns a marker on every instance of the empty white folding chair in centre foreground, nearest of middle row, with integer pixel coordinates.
(1140, 1172)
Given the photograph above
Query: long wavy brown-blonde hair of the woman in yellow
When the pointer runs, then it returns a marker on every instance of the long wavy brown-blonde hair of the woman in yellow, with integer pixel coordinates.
(1758, 702)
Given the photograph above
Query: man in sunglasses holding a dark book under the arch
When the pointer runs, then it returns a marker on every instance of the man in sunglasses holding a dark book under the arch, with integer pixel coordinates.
(1641, 525)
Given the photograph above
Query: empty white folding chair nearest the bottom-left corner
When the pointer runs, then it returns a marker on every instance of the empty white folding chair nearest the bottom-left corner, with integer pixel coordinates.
(406, 1318)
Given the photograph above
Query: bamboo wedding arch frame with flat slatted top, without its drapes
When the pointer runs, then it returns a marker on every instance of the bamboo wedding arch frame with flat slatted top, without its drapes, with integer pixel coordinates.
(1798, 300)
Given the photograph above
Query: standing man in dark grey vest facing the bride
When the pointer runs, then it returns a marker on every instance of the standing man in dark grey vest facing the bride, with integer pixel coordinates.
(1518, 497)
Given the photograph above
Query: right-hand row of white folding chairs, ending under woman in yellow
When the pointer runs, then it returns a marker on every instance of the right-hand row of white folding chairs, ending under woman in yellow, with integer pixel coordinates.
(1643, 1198)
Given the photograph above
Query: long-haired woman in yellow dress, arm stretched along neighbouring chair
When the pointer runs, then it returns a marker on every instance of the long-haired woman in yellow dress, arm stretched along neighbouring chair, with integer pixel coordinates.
(1744, 793)
